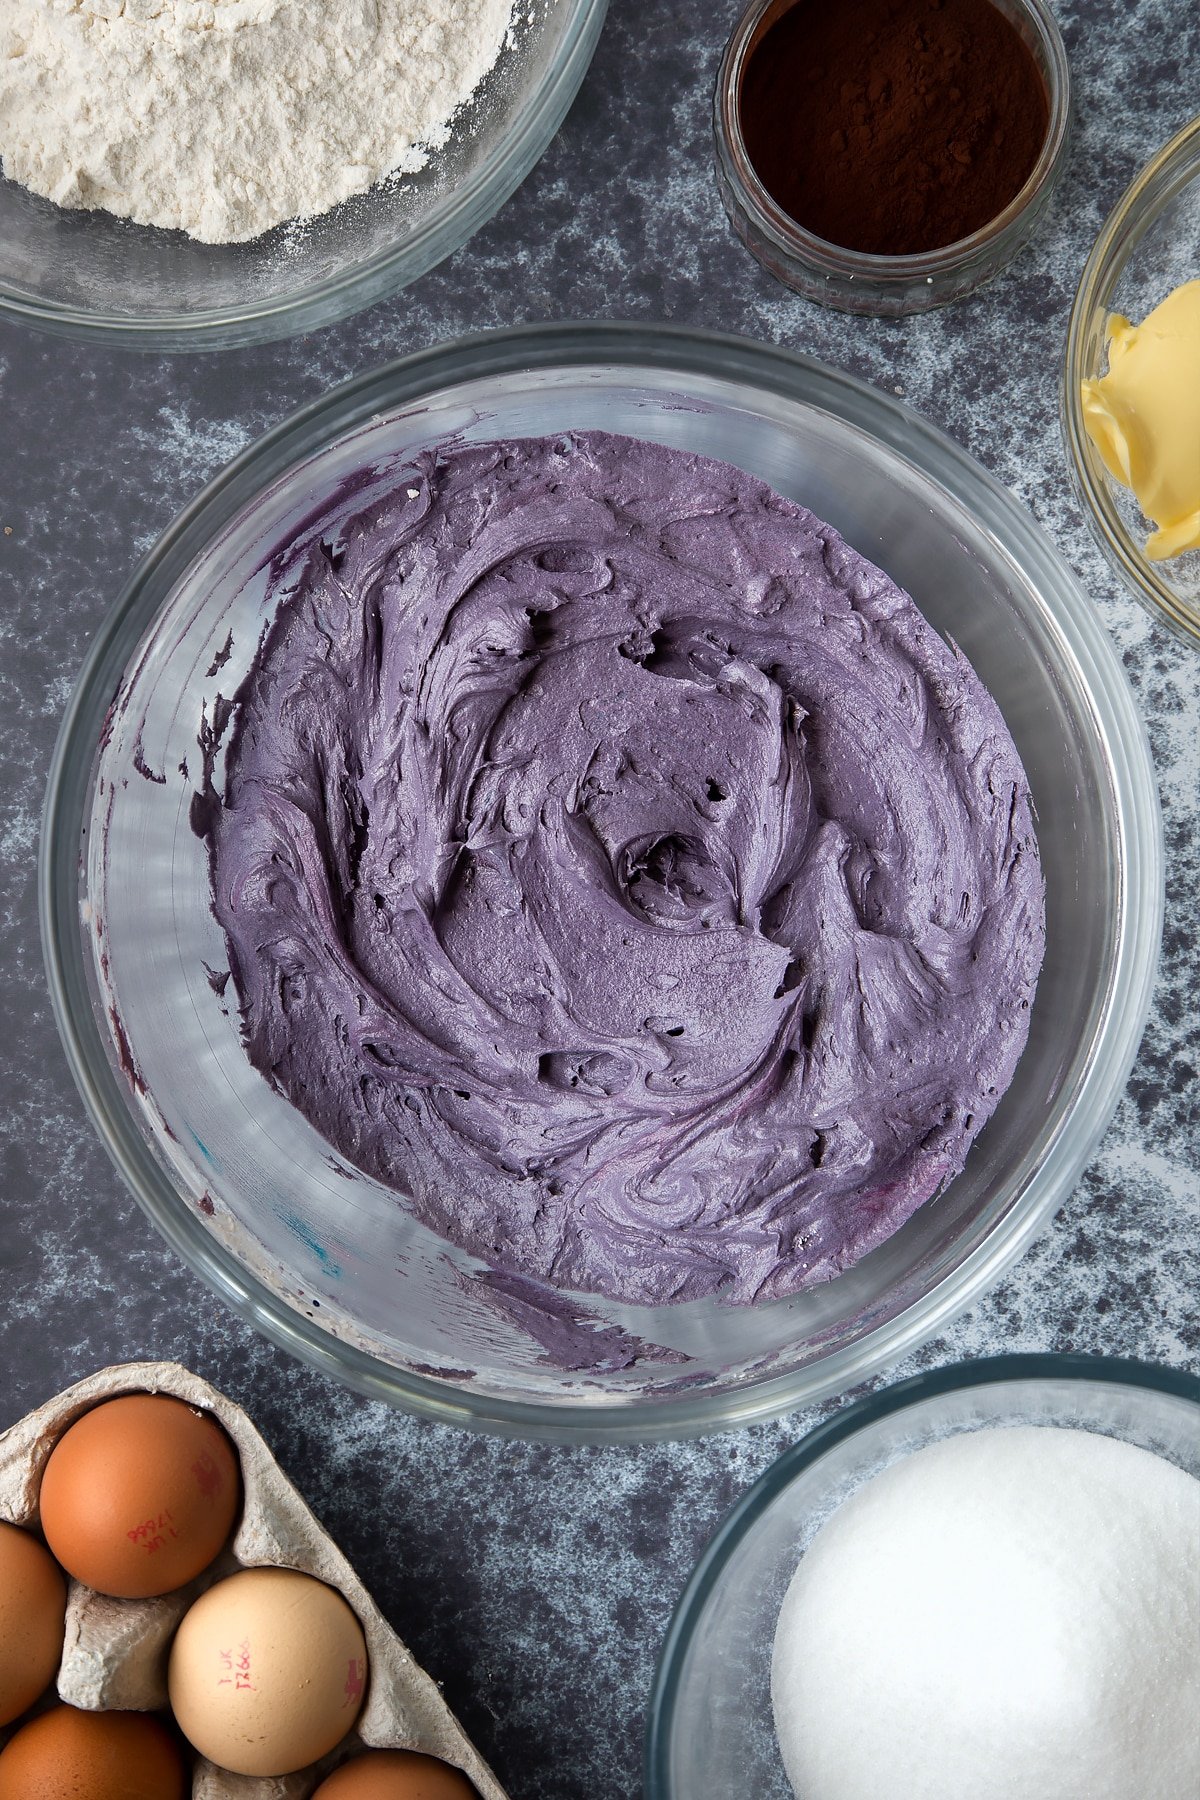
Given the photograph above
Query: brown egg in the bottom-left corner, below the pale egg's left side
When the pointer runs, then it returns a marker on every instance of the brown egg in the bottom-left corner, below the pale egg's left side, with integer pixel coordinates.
(93, 1756)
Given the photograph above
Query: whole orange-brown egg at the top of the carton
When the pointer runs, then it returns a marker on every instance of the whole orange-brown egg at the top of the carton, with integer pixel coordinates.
(139, 1495)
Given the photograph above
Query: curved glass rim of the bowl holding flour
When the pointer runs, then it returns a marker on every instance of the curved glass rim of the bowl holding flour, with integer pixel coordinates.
(442, 231)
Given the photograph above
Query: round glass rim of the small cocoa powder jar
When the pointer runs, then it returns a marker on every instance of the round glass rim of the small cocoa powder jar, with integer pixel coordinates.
(868, 267)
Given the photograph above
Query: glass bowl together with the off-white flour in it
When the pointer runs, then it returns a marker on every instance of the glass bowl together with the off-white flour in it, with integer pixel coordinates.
(202, 175)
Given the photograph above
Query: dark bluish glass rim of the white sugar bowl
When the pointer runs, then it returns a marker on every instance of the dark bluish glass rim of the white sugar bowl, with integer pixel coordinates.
(846, 1423)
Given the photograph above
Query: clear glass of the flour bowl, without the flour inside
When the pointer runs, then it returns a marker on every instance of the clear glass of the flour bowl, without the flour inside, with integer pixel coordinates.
(94, 276)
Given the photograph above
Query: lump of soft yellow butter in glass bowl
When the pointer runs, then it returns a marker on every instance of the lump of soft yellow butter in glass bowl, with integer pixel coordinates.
(1145, 417)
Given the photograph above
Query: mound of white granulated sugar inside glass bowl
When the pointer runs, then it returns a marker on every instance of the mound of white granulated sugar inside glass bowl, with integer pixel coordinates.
(1005, 1615)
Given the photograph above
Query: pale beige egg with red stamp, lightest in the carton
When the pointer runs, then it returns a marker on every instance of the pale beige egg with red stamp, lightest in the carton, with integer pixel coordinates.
(267, 1671)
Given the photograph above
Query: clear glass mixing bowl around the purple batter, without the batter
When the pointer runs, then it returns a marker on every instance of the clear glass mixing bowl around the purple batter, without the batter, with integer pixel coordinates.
(244, 1187)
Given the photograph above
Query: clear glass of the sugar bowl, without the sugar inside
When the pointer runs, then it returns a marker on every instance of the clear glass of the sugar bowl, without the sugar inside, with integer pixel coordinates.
(710, 1729)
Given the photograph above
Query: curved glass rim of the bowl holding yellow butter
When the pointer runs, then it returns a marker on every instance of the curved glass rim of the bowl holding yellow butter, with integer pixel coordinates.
(1102, 517)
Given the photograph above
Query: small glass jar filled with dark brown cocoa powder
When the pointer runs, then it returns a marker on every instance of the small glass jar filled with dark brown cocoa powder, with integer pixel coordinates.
(891, 125)
